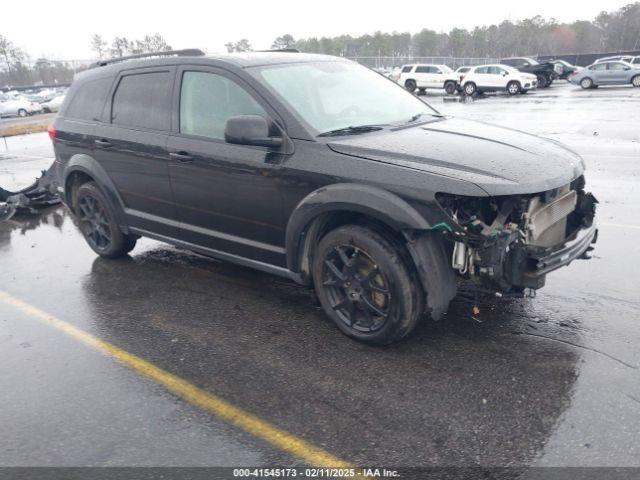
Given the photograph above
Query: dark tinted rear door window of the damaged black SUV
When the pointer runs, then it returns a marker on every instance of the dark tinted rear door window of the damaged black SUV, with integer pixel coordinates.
(143, 100)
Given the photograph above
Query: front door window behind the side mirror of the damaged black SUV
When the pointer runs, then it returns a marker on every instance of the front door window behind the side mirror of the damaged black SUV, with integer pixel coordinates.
(207, 100)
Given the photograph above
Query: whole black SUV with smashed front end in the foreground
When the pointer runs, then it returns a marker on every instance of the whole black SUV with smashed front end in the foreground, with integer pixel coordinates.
(319, 170)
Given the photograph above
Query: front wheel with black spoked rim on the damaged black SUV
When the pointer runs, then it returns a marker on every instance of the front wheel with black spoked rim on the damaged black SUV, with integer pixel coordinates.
(365, 285)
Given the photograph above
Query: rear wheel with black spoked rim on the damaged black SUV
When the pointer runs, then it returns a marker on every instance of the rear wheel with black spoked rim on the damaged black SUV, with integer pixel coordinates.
(98, 225)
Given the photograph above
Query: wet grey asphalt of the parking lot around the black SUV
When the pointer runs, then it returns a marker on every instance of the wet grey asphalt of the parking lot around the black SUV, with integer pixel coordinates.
(552, 380)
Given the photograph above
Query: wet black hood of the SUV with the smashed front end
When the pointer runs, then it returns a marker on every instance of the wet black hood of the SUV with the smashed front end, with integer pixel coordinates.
(501, 161)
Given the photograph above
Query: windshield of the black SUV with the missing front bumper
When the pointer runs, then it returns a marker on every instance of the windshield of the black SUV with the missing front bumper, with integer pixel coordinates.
(335, 95)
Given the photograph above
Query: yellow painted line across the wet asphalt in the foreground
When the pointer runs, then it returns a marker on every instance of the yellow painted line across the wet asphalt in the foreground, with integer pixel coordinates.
(285, 441)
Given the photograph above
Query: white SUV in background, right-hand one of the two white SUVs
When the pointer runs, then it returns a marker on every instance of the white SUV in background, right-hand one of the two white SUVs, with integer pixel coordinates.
(492, 78)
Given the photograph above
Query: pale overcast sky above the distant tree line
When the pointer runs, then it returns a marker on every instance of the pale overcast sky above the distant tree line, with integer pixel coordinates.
(63, 29)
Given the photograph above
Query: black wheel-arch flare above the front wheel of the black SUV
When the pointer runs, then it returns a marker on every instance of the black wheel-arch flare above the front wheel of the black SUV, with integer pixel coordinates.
(352, 197)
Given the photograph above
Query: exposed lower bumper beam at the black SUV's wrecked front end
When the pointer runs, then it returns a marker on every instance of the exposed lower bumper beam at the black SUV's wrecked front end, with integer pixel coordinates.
(533, 263)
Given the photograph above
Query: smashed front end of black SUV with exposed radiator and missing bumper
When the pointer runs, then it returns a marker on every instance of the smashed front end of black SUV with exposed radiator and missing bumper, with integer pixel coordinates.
(510, 243)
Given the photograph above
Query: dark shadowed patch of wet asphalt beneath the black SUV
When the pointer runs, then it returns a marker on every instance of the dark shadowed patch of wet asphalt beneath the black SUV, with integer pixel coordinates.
(462, 391)
